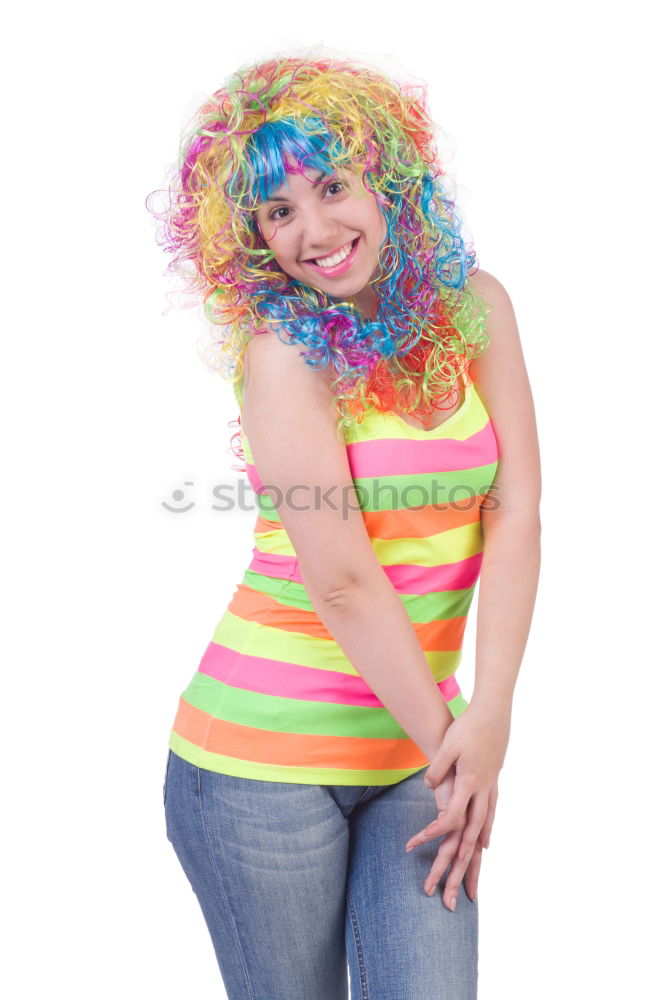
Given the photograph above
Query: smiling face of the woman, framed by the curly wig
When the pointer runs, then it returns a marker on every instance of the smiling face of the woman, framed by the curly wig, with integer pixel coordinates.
(326, 230)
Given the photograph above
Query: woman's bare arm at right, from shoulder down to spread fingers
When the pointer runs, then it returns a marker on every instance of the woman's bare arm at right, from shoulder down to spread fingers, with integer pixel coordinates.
(475, 743)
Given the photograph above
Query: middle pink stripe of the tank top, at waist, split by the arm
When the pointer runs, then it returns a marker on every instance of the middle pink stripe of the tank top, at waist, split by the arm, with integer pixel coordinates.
(406, 578)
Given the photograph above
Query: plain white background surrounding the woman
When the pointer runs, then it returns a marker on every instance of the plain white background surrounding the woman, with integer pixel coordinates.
(111, 600)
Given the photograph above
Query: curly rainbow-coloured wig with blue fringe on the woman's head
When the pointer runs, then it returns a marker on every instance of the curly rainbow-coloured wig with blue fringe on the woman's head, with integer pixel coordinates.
(327, 114)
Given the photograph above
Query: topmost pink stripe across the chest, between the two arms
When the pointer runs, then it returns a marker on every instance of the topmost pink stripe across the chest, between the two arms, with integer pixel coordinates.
(397, 457)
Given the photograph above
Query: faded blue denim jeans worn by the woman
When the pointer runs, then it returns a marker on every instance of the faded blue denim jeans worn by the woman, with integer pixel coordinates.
(299, 882)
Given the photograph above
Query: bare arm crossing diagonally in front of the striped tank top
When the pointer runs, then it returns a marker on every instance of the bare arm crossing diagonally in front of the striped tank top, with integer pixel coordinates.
(290, 421)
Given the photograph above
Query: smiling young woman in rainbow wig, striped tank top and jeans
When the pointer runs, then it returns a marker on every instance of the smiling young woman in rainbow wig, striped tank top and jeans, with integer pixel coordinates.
(389, 435)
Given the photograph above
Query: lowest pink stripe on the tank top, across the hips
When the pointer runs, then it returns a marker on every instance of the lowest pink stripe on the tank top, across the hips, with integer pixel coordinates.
(281, 679)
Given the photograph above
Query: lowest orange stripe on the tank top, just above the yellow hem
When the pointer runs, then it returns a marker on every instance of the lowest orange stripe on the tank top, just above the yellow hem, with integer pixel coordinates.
(290, 749)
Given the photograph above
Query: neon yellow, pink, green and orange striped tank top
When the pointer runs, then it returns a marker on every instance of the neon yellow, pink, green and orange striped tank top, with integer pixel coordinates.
(274, 697)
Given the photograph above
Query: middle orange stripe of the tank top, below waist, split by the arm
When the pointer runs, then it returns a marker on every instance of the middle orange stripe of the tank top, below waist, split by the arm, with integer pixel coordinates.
(253, 606)
